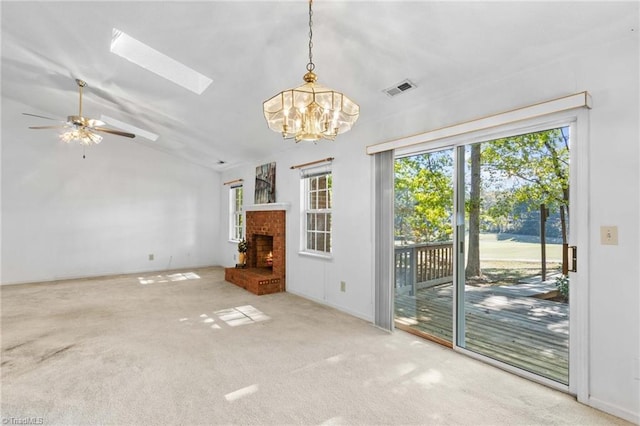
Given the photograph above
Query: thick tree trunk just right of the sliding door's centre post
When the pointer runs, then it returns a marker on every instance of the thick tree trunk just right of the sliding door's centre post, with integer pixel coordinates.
(473, 249)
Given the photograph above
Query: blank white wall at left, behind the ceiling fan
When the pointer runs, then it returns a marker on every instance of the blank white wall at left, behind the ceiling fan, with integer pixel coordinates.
(64, 216)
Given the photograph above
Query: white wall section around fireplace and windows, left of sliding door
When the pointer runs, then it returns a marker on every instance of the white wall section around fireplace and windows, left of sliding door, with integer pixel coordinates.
(311, 277)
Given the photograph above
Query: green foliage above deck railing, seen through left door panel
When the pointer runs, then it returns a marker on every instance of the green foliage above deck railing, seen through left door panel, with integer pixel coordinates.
(424, 197)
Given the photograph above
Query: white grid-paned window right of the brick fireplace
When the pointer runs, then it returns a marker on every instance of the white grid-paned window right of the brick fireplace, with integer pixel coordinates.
(317, 188)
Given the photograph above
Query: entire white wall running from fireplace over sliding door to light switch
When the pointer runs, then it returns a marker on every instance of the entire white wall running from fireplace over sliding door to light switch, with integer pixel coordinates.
(610, 73)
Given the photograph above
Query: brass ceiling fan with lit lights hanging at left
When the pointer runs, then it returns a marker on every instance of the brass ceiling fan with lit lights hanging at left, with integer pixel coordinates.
(80, 128)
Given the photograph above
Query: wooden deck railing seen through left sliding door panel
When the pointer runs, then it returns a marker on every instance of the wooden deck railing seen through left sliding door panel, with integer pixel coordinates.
(422, 265)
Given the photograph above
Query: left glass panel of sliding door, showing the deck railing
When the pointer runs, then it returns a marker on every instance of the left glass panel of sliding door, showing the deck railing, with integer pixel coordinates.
(424, 244)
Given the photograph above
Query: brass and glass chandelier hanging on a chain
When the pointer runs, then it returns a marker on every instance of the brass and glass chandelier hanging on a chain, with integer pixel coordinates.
(311, 111)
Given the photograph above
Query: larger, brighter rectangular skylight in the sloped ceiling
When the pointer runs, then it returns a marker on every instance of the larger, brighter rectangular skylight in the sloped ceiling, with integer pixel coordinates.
(150, 59)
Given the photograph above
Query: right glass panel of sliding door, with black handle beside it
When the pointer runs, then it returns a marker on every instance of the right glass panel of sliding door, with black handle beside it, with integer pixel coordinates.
(514, 196)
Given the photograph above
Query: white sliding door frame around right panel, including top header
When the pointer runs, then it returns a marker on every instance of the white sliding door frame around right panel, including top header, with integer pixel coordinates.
(578, 121)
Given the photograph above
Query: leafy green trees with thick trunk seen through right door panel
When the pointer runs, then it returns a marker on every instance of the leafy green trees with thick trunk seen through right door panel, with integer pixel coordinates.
(529, 170)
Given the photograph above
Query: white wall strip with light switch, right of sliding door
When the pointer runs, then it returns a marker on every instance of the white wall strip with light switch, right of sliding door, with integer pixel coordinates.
(615, 275)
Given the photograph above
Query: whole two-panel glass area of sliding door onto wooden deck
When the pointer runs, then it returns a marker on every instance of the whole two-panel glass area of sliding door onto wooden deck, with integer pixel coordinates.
(490, 262)
